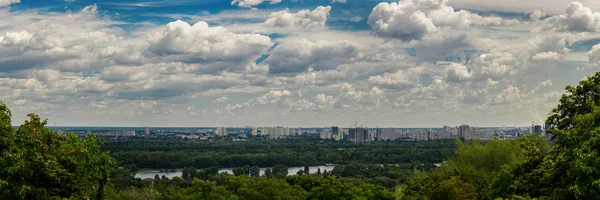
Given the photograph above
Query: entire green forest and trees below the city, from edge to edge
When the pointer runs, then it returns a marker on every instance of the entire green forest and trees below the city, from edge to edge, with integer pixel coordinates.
(37, 163)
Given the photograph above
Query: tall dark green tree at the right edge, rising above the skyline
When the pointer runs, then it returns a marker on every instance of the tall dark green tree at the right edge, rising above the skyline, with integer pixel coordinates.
(570, 169)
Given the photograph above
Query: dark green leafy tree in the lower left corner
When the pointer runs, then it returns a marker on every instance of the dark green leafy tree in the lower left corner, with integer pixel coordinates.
(37, 163)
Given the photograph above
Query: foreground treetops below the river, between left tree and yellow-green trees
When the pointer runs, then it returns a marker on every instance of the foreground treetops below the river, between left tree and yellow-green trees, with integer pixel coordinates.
(223, 186)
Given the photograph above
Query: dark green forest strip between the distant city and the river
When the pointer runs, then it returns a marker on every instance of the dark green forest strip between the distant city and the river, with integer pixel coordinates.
(169, 154)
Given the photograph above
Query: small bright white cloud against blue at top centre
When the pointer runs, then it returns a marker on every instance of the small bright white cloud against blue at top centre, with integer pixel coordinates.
(303, 18)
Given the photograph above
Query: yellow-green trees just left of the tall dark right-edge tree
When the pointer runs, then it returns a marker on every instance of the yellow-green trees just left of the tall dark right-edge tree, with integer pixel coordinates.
(479, 170)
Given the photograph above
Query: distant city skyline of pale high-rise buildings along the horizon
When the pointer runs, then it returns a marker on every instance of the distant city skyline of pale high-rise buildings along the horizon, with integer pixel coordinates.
(354, 134)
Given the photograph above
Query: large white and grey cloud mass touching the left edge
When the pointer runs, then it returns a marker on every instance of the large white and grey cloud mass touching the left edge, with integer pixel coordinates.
(66, 44)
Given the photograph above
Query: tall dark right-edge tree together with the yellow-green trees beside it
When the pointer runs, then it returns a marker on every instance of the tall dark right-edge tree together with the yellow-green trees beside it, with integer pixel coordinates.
(528, 167)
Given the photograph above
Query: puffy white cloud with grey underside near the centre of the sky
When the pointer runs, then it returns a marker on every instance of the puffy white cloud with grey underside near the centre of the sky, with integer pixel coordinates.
(300, 55)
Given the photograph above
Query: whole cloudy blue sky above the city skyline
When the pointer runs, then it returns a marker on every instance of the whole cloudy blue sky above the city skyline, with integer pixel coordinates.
(297, 63)
